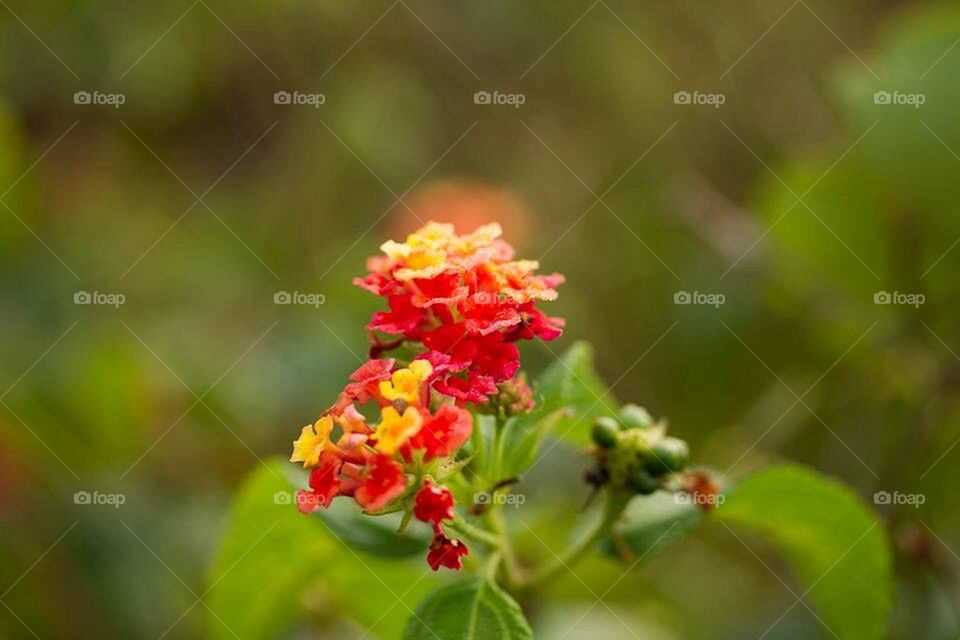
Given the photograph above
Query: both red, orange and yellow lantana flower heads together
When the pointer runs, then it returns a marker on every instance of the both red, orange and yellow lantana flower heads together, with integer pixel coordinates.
(460, 303)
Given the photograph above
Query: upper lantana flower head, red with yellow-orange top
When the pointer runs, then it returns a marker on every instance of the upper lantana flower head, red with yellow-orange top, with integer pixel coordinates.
(466, 300)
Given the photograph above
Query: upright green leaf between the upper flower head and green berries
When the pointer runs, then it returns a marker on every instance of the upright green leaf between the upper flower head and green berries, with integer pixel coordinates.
(571, 383)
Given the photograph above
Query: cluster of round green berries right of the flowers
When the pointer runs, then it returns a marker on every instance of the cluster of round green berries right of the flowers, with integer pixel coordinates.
(633, 452)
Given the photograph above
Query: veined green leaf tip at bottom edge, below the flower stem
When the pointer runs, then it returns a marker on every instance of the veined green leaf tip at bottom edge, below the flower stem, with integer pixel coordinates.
(471, 610)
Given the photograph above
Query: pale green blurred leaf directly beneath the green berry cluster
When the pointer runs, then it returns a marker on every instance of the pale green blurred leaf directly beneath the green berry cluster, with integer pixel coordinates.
(651, 523)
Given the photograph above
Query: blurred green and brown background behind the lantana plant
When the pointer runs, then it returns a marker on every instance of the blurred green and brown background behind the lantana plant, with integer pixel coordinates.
(799, 199)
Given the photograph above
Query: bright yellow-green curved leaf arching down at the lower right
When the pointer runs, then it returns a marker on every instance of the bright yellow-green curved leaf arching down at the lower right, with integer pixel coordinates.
(836, 546)
